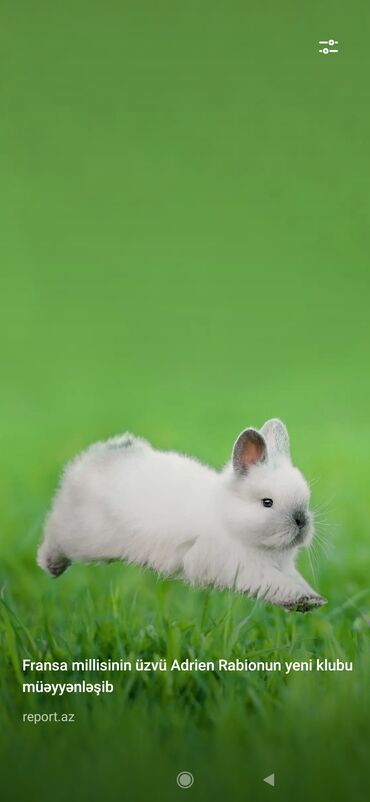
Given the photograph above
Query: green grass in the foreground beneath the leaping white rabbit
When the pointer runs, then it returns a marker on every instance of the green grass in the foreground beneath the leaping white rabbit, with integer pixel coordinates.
(230, 729)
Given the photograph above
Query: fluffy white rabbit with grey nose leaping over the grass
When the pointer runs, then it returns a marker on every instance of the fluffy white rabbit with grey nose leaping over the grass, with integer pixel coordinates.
(239, 528)
